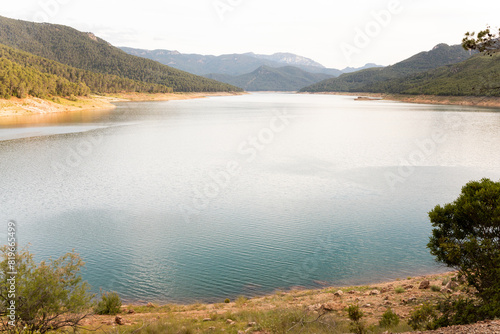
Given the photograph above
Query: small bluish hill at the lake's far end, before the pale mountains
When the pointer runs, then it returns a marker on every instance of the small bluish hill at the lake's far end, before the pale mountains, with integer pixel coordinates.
(265, 78)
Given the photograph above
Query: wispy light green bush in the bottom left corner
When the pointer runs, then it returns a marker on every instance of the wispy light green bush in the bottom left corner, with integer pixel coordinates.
(49, 295)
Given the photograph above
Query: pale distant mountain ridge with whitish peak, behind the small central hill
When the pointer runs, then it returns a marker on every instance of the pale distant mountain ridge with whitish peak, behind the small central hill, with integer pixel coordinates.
(229, 64)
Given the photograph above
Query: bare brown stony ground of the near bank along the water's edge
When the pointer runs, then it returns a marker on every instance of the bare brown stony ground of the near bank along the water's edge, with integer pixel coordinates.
(400, 295)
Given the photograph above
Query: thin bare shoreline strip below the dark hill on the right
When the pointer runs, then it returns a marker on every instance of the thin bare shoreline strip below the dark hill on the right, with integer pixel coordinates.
(473, 101)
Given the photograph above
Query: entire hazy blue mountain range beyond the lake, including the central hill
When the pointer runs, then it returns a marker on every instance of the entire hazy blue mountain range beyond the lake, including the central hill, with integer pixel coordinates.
(249, 71)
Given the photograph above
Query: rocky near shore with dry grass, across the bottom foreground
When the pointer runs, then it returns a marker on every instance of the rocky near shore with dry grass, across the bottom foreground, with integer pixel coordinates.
(258, 315)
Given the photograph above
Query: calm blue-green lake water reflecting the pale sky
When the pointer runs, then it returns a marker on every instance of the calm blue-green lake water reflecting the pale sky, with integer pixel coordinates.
(205, 199)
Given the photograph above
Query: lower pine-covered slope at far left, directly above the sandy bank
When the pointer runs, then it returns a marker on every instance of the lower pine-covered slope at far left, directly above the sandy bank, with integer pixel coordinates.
(23, 73)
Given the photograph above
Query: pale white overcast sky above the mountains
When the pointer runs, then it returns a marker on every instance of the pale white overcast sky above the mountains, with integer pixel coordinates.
(334, 33)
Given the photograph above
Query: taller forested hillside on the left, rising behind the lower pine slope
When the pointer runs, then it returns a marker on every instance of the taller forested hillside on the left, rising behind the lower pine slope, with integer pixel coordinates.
(88, 52)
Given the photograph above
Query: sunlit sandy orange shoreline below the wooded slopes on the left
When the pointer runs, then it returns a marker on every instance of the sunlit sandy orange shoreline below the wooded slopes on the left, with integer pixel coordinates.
(35, 106)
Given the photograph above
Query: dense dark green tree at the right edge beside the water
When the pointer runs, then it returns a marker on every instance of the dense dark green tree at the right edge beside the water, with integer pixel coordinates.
(466, 236)
